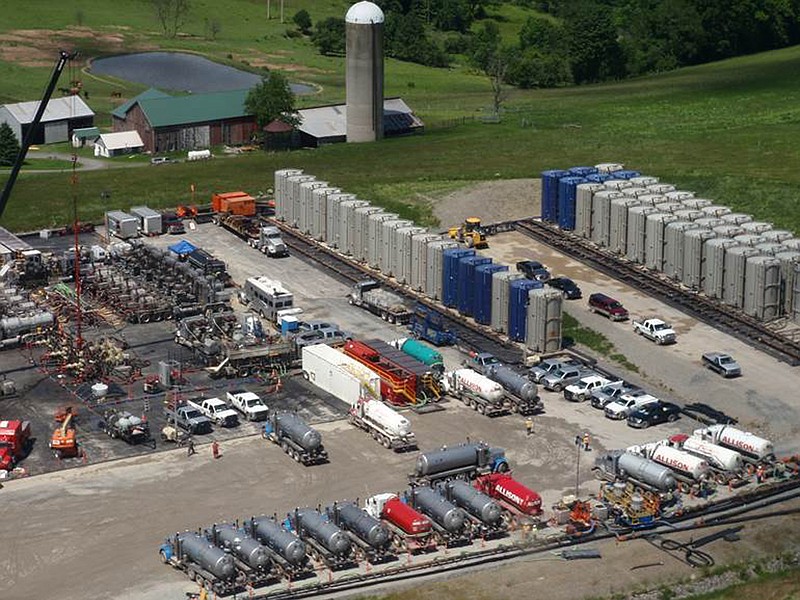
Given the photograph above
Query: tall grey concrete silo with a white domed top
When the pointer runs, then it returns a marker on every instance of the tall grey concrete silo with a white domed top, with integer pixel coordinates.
(364, 81)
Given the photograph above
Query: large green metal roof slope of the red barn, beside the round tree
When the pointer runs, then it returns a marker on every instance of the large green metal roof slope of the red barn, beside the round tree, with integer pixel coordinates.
(195, 108)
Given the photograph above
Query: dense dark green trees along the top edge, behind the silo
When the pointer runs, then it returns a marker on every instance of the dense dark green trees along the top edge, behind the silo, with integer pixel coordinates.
(575, 41)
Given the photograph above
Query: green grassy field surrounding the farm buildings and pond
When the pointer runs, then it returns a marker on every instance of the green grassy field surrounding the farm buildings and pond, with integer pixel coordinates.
(727, 131)
